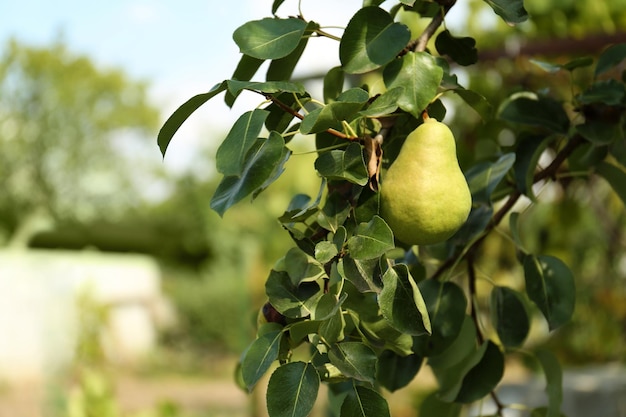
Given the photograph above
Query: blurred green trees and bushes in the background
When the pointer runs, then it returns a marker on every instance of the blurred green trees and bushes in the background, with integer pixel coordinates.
(72, 176)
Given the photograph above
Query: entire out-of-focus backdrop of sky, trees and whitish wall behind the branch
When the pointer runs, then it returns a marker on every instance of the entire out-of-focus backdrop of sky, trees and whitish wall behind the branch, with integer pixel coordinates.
(123, 294)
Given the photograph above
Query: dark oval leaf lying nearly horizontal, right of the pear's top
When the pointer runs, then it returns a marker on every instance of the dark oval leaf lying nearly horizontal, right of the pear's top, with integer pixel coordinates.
(528, 109)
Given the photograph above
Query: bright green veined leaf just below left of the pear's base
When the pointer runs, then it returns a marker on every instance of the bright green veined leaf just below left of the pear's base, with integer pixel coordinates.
(371, 240)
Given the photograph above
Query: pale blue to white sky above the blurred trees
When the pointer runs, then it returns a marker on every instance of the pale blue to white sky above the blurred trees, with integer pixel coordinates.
(181, 48)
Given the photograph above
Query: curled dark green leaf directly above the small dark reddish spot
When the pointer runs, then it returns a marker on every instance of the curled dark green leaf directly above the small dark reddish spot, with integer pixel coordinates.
(291, 300)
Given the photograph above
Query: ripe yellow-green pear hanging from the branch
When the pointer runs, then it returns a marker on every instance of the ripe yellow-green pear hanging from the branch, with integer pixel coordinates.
(424, 195)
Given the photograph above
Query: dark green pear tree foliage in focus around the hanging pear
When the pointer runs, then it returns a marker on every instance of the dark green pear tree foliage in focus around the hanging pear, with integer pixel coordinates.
(350, 306)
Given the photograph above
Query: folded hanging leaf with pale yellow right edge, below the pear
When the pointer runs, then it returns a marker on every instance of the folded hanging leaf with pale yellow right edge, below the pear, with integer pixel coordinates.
(401, 302)
